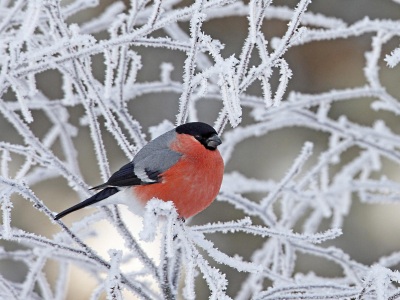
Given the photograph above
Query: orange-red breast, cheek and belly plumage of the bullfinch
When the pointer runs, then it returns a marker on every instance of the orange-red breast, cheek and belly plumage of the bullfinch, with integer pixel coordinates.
(193, 182)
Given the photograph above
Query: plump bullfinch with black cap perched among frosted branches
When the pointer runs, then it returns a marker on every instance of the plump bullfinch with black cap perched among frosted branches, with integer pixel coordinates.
(182, 165)
